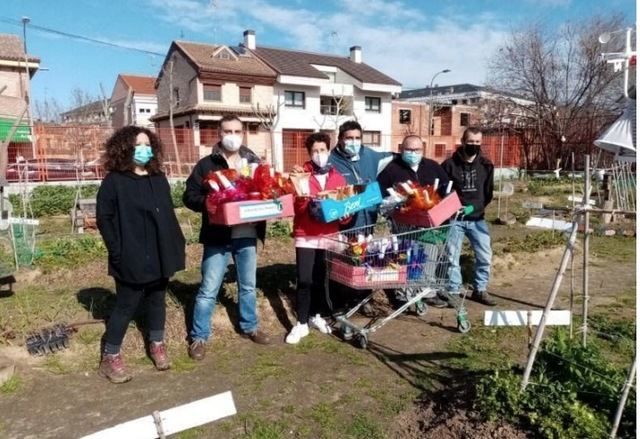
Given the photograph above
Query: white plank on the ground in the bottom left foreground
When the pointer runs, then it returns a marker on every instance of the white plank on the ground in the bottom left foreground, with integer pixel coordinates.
(174, 420)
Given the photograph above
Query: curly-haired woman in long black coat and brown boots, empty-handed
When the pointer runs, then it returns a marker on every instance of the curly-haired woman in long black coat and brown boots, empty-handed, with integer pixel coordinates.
(146, 247)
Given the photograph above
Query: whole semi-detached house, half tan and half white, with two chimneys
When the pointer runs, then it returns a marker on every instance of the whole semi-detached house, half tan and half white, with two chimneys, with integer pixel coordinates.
(298, 92)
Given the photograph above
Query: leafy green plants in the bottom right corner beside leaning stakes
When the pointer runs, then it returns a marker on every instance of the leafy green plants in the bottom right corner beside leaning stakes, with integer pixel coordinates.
(573, 393)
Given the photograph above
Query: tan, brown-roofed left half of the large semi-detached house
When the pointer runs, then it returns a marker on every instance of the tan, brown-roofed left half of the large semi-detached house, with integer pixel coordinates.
(209, 81)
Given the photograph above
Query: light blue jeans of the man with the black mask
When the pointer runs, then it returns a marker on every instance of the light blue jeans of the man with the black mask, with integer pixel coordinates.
(478, 234)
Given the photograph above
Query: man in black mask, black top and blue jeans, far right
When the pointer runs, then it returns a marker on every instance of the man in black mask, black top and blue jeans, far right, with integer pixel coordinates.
(472, 176)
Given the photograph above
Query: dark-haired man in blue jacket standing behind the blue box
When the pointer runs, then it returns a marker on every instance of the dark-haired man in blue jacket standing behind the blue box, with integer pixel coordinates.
(358, 164)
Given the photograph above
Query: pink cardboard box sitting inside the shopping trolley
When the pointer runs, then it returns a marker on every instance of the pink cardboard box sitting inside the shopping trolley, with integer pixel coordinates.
(366, 277)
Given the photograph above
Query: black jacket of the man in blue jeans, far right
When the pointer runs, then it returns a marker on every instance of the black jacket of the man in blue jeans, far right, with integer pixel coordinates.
(472, 181)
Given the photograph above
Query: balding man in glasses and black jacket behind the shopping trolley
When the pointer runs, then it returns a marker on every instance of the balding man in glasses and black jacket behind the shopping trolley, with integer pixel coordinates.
(411, 165)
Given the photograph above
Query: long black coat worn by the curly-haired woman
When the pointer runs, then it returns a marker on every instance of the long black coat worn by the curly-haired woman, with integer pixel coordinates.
(137, 222)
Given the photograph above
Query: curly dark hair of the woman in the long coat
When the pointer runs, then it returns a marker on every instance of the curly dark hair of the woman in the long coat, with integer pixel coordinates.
(118, 154)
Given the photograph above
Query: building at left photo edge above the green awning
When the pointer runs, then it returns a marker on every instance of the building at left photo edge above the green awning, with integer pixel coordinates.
(16, 69)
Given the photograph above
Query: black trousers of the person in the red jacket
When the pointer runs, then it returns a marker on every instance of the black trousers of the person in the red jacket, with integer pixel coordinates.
(311, 273)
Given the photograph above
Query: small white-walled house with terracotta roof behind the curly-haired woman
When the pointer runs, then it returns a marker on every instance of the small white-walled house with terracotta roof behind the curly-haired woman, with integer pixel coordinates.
(133, 101)
